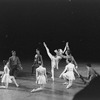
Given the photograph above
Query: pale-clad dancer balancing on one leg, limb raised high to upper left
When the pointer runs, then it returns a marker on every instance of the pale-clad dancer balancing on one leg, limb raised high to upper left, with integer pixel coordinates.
(54, 60)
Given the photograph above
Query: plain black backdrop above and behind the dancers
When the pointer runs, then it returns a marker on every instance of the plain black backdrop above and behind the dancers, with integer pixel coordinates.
(25, 24)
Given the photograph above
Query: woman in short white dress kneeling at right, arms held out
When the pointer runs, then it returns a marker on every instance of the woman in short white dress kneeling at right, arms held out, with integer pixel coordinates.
(69, 75)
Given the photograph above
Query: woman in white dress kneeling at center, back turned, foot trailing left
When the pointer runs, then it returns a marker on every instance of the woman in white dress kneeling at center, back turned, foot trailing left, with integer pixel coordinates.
(41, 77)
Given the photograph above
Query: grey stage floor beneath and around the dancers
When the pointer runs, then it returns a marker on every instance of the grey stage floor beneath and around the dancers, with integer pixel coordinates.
(52, 91)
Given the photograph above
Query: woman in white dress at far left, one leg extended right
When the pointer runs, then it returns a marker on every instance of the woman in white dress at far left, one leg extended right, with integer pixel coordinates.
(6, 78)
